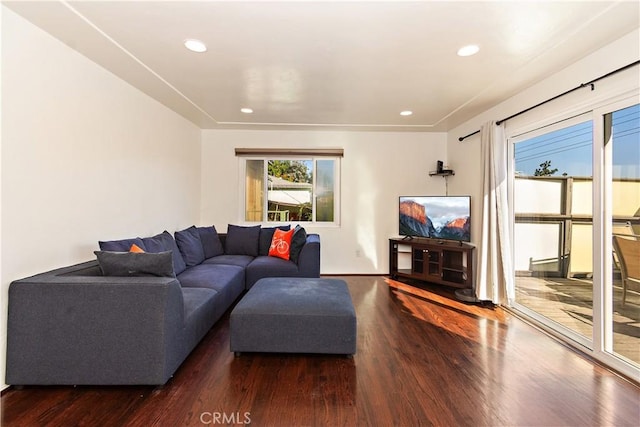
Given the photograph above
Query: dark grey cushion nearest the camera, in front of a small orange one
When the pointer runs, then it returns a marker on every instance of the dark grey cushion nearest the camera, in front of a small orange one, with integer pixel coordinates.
(127, 264)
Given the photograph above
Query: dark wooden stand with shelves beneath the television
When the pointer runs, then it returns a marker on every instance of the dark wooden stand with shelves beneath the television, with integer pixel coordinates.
(436, 261)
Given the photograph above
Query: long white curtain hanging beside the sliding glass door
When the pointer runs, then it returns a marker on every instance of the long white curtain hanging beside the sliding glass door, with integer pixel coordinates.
(494, 273)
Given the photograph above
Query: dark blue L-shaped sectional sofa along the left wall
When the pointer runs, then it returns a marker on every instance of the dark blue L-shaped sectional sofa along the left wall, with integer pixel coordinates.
(132, 319)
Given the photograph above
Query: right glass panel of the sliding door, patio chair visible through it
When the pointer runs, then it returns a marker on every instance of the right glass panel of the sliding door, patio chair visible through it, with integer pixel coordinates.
(621, 299)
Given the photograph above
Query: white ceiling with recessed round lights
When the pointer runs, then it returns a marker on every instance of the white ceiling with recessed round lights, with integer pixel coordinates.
(333, 65)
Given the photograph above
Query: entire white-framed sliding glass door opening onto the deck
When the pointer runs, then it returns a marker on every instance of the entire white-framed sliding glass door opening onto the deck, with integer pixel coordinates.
(576, 231)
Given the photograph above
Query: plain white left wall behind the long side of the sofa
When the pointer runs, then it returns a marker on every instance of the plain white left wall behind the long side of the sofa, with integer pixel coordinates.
(85, 157)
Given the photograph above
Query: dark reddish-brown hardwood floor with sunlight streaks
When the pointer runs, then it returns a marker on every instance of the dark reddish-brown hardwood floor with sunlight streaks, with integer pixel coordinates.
(422, 359)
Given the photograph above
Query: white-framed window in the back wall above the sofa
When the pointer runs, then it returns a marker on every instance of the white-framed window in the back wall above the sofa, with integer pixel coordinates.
(285, 188)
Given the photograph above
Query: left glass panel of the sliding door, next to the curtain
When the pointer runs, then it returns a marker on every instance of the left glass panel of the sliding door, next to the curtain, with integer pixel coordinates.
(553, 225)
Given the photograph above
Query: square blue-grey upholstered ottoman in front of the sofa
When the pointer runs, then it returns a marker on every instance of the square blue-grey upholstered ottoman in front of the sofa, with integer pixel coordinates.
(295, 315)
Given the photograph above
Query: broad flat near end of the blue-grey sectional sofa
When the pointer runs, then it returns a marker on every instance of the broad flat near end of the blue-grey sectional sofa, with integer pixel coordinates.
(73, 329)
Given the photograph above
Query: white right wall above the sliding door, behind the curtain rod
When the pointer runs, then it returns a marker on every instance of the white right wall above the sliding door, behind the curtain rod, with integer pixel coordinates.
(465, 156)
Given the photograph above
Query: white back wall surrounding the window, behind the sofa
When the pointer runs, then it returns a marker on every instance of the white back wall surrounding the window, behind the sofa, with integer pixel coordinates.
(376, 169)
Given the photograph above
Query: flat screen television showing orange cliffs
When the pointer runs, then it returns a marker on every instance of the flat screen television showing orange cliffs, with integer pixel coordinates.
(436, 217)
